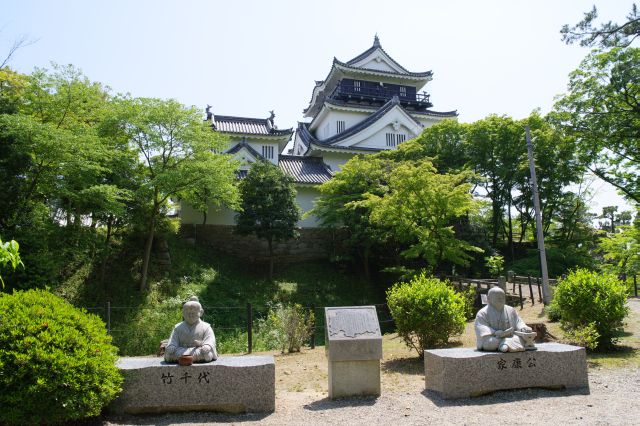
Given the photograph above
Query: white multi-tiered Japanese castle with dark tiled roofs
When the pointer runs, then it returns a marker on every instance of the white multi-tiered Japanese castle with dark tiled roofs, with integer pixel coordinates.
(365, 105)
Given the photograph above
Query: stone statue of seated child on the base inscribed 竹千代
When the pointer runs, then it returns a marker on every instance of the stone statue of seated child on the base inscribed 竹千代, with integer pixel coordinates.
(192, 336)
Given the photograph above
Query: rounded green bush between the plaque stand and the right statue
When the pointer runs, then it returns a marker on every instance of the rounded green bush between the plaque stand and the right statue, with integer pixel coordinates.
(427, 312)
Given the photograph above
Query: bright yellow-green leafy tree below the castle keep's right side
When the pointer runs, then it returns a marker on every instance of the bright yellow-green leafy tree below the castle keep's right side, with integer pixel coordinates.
(419, 209)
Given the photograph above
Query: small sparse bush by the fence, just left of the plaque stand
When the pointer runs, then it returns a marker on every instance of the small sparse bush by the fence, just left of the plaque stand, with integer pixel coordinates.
(288, 327)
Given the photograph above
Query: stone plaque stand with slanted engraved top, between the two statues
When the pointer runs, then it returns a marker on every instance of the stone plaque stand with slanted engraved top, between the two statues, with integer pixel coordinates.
(354, 350)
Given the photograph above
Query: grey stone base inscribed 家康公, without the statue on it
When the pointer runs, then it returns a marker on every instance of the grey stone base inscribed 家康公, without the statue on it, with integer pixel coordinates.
(466, 372)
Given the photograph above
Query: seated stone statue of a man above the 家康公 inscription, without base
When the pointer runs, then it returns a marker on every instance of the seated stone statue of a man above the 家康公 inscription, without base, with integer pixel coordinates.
(500, 328)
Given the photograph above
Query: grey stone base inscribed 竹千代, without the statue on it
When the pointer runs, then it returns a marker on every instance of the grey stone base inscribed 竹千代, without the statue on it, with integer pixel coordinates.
(230, 384)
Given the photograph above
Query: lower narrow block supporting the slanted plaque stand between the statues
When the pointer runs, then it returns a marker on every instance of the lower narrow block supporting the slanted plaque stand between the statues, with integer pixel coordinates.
(354, 378)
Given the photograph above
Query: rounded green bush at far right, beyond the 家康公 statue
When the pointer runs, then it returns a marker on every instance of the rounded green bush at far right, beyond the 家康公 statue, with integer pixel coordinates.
(585, 298)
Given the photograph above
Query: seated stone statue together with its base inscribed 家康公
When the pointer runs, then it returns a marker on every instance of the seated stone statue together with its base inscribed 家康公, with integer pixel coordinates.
(506, 358)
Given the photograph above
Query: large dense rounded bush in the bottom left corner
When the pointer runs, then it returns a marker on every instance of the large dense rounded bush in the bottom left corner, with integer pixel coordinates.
(56, 362)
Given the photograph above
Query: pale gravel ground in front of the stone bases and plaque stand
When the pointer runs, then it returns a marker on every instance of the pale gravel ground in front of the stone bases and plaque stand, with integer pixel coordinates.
(613, 398)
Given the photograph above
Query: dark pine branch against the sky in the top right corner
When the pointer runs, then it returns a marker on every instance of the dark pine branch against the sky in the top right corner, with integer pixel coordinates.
(609, 34)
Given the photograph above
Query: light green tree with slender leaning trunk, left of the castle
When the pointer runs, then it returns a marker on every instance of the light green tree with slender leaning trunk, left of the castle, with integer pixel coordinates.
(177, 152)
